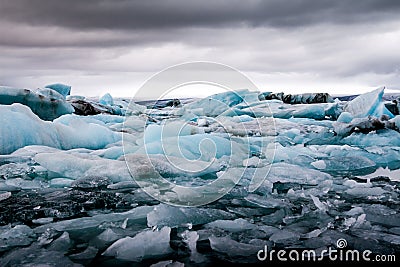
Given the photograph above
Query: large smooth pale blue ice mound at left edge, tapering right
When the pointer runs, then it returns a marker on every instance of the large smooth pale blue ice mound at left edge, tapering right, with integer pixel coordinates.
(20, 127)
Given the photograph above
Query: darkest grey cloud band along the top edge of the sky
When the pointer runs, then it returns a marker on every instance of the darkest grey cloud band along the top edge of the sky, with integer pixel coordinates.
(123, 14)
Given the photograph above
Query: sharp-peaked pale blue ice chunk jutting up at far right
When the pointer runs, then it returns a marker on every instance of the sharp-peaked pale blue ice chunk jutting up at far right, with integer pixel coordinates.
(368, 104)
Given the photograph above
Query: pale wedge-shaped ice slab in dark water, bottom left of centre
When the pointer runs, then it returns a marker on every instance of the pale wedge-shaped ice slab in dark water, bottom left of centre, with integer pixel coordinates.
(144, 245)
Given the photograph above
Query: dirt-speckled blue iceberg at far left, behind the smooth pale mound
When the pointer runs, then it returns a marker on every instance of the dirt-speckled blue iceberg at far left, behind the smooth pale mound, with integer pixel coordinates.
(47, 104)
